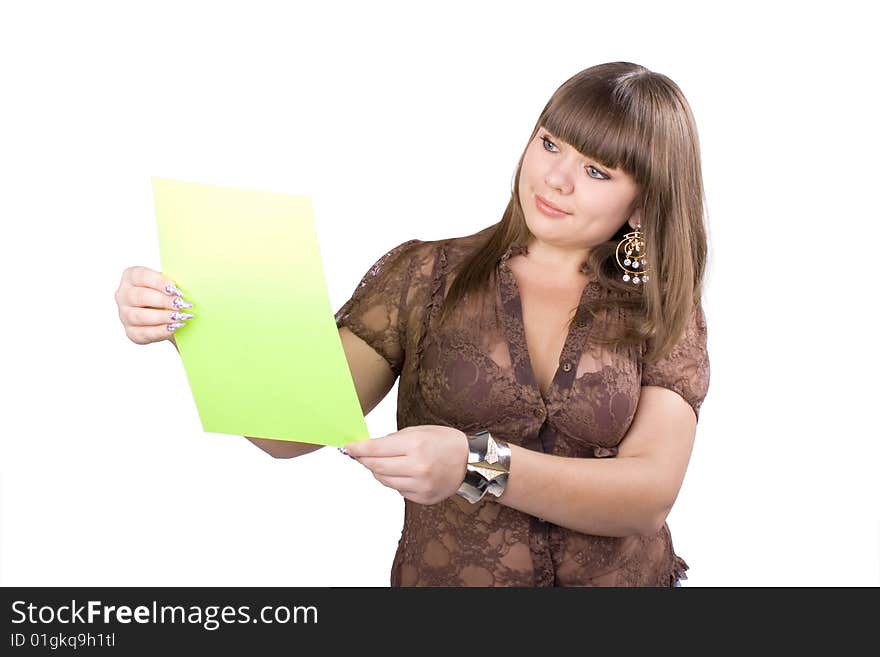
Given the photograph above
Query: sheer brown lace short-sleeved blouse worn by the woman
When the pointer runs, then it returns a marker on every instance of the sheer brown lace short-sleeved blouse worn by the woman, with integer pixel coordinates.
(482, 379)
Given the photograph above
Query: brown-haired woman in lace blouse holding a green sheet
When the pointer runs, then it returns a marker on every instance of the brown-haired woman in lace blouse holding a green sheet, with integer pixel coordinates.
(552, 366)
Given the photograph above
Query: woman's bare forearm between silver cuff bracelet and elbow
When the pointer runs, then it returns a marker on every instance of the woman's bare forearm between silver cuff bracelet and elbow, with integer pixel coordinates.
(603, 497)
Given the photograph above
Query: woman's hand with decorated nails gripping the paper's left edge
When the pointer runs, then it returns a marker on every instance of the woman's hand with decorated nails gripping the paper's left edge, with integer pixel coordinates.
(151, 308)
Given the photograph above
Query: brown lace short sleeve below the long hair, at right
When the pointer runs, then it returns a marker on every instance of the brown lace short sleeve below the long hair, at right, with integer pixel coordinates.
(685, 369)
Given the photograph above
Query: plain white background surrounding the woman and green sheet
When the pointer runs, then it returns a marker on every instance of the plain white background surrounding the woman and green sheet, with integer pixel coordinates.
(406, 120)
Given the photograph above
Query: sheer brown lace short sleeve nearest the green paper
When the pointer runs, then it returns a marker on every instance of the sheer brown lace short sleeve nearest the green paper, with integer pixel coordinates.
(376, 311)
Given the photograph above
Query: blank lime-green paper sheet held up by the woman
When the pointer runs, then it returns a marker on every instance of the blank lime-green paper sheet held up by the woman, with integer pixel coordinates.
(262, 354)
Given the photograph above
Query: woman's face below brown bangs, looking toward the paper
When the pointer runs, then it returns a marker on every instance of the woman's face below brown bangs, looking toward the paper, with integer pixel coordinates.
(597, 200)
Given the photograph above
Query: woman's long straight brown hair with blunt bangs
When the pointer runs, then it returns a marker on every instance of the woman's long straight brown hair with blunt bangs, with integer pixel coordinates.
(624, 116)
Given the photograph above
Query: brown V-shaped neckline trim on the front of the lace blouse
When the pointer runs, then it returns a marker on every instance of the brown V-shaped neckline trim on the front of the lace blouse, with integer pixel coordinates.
(514, 326)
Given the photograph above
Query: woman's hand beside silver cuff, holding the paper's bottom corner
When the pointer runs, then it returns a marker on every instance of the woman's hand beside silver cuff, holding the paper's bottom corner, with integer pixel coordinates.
(425, 463)
